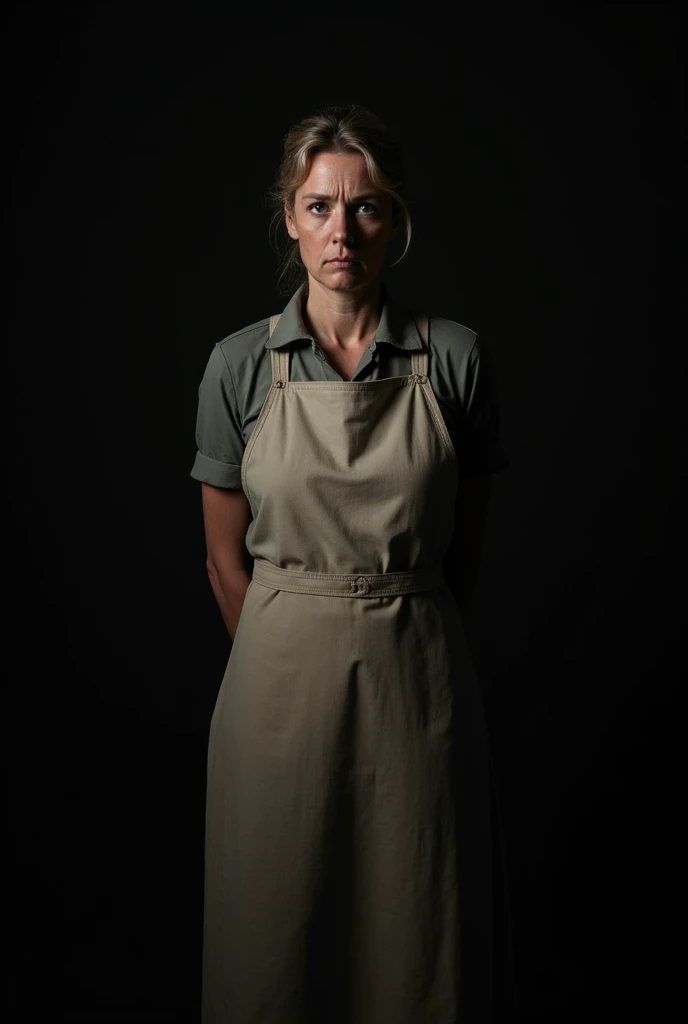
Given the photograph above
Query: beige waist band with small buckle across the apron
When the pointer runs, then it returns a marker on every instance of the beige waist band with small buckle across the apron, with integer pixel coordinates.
(348, 584)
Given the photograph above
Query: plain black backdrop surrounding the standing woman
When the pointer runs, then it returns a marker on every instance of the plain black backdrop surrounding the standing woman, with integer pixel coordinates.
(543, 155)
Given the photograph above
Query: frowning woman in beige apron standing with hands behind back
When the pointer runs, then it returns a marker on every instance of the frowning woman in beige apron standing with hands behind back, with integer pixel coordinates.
(345, 452)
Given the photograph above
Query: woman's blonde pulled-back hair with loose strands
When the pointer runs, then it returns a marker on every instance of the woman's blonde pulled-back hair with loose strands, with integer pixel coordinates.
(334, 130)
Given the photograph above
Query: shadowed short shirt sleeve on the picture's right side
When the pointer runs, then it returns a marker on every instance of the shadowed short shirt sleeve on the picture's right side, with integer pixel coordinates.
(481, 449)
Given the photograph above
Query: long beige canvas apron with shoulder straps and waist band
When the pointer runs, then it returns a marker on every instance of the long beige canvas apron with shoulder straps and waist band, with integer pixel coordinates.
(350, 852)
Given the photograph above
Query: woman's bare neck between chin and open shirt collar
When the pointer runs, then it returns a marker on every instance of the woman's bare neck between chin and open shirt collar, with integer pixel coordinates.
(346, 320)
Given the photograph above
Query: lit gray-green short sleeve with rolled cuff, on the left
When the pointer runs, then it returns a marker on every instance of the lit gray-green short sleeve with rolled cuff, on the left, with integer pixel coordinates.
(219, 432)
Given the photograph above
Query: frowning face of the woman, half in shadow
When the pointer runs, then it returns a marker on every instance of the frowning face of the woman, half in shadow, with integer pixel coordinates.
(338, 212)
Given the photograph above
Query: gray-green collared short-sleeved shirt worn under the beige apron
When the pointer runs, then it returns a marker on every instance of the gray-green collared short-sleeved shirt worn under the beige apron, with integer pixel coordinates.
(239, 376)
